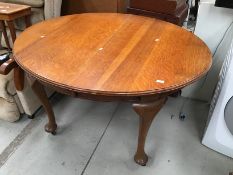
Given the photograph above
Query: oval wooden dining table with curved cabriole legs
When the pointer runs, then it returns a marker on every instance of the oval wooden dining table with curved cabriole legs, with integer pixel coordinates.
(111, 57)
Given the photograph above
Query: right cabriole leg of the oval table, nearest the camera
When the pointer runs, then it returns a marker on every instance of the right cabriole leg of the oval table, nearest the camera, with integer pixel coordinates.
(146, 112)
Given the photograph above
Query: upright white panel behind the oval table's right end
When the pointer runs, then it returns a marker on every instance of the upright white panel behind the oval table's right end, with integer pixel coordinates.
(212, 22)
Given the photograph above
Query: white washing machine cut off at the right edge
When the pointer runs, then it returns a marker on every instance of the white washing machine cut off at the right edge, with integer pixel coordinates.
(219, 131)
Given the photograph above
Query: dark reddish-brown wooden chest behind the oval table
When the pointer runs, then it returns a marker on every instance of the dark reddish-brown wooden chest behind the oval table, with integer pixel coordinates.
(174, 11)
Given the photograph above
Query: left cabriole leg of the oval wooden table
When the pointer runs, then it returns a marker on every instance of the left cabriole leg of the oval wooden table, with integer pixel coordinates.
(51, 126)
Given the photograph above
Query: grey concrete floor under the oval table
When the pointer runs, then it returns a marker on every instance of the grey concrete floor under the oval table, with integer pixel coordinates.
(100, 138)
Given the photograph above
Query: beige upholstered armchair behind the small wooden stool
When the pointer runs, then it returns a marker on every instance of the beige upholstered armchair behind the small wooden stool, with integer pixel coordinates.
(13, 102)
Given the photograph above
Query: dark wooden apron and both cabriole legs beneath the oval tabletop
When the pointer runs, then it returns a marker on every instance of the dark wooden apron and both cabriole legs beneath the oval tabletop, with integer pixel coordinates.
(145, 106)
